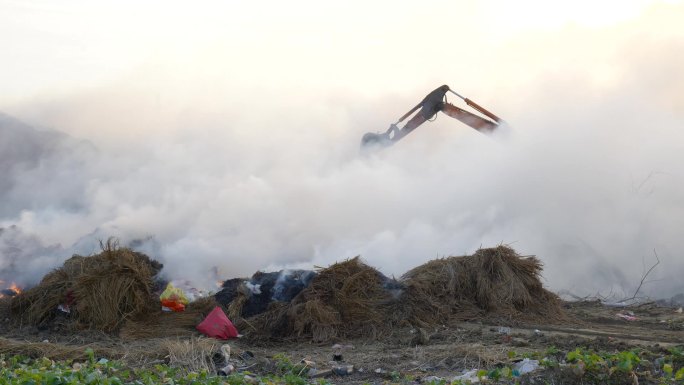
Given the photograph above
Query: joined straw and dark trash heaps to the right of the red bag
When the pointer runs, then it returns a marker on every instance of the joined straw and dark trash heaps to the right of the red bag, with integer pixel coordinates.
(351, 299)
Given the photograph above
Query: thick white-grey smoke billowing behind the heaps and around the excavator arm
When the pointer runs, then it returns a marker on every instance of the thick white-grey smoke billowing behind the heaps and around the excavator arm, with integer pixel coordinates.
(587, 177)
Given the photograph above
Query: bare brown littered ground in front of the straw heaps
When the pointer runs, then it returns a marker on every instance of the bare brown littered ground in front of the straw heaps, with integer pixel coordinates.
(408, 355)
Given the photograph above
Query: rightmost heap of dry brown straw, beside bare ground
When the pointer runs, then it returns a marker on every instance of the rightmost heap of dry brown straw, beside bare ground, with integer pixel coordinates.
(494, 283)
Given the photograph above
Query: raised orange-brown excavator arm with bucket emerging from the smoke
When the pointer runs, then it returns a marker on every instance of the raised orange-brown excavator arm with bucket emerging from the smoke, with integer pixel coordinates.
(434, 102)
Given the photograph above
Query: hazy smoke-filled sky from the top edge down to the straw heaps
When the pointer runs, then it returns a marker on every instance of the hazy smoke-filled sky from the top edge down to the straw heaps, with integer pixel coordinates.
(228, 131)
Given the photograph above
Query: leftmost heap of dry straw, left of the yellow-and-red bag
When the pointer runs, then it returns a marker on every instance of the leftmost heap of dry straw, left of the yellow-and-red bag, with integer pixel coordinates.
(103, 290)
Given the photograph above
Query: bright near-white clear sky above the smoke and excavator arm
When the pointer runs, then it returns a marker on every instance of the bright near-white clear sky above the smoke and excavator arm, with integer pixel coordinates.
(365, 47)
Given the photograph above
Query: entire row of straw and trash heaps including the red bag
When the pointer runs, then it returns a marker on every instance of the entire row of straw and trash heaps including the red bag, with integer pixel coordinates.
(117, 291)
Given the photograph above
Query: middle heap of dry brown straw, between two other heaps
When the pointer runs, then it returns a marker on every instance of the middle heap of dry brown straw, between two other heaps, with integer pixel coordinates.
(344, 300)
